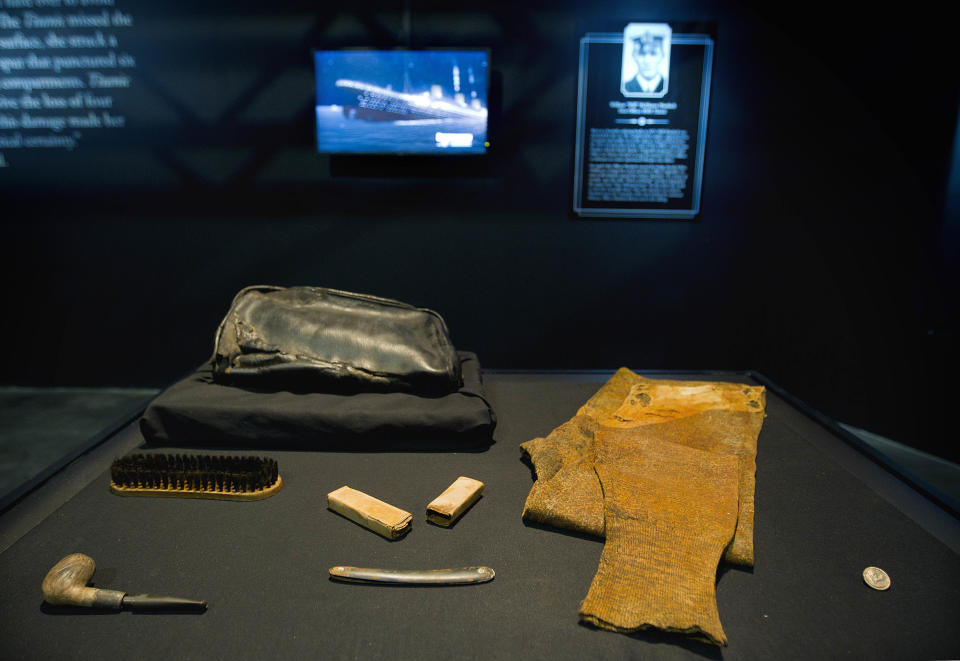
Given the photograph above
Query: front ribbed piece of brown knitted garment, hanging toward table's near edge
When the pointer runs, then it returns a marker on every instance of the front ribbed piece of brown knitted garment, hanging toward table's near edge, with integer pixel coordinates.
(670, 511)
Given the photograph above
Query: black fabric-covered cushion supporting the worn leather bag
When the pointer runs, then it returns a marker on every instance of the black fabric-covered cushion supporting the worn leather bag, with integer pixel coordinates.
(199, 412)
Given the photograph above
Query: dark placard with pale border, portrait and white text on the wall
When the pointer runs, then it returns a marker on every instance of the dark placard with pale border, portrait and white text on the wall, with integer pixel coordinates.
(642, 97)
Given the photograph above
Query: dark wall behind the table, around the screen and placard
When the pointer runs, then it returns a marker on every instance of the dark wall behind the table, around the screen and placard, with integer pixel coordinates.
(818, 258)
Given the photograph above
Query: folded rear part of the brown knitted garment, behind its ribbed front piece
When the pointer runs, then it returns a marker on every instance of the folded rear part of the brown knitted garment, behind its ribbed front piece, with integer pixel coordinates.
(720, 417)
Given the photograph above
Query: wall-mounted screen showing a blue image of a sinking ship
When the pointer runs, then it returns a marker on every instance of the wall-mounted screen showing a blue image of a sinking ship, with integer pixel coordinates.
(401, 102)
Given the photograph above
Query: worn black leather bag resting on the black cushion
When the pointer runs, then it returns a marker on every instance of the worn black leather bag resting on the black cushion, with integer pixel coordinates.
(325, 340)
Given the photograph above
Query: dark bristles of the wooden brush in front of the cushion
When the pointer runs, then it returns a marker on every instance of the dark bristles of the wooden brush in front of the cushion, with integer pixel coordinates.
(194, 473)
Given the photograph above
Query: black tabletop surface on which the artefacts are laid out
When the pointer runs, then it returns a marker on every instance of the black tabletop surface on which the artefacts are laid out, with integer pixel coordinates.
(824, 512)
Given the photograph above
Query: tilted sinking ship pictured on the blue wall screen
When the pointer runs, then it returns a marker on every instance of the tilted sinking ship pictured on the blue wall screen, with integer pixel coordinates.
(379, 104)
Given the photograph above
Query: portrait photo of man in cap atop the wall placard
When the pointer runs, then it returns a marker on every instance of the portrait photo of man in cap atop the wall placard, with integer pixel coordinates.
(646, 60)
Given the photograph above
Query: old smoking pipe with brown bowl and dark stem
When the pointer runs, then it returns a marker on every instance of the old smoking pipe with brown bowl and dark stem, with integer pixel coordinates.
(66, 585)
